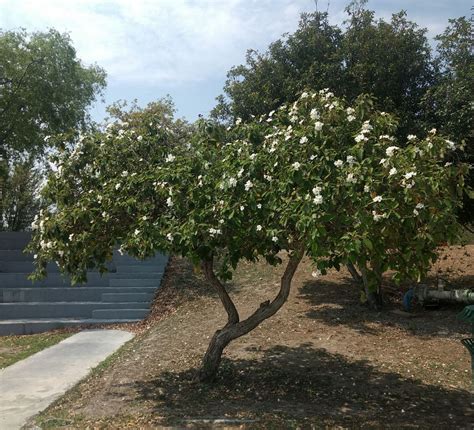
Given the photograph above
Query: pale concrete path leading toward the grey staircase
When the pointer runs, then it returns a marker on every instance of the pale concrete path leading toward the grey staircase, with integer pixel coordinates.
(29, 386)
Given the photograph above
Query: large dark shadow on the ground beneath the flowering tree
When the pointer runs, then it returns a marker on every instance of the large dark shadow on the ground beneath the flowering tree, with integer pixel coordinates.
(303, 386)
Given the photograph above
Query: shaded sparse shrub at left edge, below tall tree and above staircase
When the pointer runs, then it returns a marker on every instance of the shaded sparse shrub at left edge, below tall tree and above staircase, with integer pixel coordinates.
(19, 200)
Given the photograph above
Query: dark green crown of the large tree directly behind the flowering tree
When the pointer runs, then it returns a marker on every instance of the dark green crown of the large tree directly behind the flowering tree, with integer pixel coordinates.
(390, 60)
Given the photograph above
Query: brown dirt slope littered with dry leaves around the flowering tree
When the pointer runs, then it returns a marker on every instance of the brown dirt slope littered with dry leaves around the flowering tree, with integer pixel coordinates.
(323, 361)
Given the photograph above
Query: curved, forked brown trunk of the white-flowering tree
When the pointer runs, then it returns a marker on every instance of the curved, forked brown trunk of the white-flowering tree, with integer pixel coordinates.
(235, 328)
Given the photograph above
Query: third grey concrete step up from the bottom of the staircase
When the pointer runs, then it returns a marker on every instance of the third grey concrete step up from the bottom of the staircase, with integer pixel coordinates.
(70, 294)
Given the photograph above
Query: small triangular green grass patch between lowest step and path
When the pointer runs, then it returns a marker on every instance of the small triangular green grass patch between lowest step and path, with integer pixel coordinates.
(16, 348)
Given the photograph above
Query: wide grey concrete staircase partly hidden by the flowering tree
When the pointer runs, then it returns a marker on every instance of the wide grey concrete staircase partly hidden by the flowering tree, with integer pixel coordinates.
(122, 295)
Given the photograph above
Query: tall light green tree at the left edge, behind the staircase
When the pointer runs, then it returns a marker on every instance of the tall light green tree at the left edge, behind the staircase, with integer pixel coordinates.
(45, 90)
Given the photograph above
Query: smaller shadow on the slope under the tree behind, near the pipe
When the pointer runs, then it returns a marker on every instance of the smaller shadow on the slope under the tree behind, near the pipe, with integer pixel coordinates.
(337, 303)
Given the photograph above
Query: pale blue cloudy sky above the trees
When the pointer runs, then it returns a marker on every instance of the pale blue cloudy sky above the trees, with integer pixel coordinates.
(184, 48)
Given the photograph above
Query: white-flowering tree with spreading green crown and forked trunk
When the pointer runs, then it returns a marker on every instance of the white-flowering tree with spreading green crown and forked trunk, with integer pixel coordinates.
(314, 177)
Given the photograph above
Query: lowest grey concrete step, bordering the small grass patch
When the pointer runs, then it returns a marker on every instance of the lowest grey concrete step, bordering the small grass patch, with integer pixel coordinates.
(39, 325)
